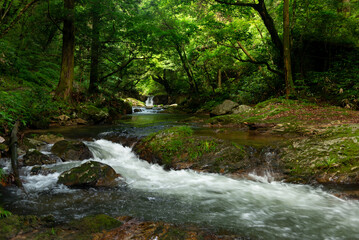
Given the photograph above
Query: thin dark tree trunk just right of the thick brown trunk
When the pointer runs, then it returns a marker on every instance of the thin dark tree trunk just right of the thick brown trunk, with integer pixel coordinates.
(95, 48)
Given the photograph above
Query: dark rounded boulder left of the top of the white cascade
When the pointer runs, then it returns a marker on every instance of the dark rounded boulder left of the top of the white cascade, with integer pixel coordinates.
(71, 150)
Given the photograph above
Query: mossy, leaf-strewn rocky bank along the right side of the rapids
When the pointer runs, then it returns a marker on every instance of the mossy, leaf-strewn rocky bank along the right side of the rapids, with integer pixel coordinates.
(321, 143)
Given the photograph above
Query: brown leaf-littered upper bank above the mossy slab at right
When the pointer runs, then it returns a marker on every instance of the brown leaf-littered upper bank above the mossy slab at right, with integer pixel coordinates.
(293, 115)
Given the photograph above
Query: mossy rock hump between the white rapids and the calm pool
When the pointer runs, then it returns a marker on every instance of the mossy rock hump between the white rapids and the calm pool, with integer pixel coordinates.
(177, 148)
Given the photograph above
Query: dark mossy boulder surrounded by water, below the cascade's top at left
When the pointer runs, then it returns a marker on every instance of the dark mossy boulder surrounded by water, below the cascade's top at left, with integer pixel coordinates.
(89, 174)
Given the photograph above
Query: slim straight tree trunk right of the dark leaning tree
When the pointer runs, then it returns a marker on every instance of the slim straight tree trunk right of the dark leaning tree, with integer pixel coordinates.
(289, 86)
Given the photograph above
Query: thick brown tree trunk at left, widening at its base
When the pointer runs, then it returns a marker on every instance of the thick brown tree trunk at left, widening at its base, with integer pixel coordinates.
(64, 88)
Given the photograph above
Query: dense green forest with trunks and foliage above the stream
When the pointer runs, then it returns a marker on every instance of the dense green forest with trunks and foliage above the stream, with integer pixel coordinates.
(57, 55)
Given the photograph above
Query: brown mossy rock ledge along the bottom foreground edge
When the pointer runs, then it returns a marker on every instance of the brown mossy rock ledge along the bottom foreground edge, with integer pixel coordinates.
(100, 227)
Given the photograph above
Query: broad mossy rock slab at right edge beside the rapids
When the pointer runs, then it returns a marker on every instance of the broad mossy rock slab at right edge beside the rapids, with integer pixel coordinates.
(329, 156)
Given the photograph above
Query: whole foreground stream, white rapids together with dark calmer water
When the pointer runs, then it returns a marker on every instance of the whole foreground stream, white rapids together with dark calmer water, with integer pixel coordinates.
(257, 209)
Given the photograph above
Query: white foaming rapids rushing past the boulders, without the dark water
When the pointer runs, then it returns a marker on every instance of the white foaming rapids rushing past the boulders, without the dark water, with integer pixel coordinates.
(261, 209)
